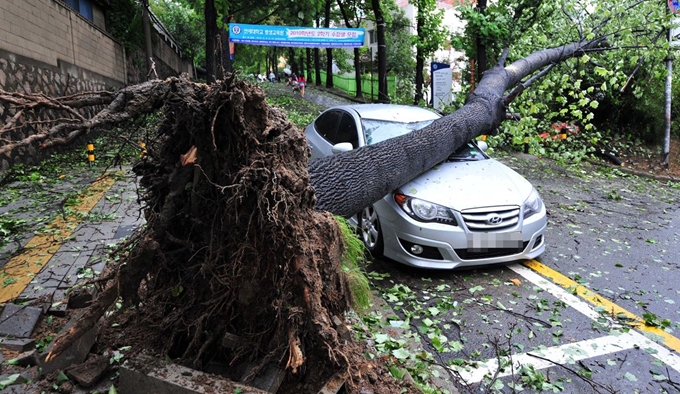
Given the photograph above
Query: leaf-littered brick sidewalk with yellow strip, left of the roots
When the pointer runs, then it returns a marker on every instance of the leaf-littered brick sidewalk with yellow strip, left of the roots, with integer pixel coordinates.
(69, 224)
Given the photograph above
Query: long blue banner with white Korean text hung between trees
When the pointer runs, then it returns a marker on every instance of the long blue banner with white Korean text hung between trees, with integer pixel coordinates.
(291, 36)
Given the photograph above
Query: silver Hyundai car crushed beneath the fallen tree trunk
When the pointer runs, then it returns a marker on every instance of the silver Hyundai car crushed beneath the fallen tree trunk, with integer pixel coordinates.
(468, 210)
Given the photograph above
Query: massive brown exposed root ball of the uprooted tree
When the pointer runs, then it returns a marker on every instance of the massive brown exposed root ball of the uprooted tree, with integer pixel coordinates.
(235, 266)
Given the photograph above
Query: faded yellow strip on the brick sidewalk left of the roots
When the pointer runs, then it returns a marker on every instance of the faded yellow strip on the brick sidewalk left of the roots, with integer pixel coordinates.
(21, 269)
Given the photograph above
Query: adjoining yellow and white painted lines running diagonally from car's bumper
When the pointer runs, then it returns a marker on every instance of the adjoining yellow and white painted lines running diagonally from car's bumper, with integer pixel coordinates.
(645, 337)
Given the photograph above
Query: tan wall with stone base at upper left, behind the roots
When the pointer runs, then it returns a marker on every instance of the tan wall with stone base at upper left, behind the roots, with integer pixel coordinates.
(46, 47)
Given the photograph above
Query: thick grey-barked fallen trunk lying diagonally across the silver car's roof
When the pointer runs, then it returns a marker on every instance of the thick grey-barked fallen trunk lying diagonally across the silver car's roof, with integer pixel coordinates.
(344, 187)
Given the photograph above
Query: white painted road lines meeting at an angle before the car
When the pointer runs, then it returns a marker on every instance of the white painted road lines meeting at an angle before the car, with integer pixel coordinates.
(572, 352)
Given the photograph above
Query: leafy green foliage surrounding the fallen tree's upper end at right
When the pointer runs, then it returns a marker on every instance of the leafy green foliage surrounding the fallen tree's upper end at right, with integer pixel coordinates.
(613, 96)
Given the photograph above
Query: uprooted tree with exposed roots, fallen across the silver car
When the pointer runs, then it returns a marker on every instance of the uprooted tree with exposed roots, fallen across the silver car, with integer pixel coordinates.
(240, 240)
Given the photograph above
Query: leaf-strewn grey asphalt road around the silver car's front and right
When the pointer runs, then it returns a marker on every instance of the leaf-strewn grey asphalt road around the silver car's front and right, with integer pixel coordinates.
(595, 313)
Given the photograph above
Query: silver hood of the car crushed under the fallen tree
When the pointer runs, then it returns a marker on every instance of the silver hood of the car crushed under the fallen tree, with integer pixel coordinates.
(470, 184)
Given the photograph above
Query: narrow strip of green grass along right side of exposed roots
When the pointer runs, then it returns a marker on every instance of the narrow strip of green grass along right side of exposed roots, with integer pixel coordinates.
(352, 258)
